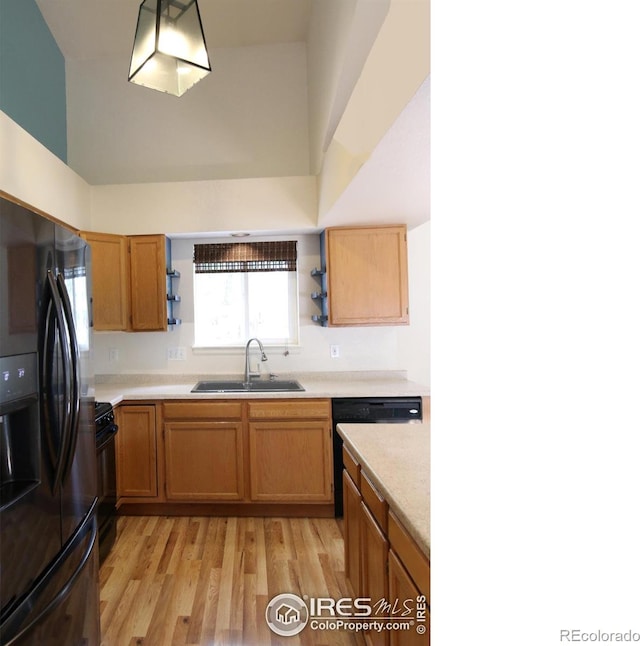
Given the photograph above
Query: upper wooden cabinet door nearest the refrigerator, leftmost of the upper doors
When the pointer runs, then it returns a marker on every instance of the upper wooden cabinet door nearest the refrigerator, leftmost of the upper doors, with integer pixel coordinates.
(110, 275)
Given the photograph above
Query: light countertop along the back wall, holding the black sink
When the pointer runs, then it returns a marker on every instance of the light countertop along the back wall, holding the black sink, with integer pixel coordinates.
(117, 388)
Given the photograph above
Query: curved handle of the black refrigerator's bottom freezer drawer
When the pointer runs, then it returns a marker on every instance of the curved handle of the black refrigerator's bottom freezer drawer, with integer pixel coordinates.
(12, 629)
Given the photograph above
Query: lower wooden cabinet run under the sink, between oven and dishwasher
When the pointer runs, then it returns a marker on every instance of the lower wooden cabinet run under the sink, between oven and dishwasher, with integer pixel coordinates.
(226, 456)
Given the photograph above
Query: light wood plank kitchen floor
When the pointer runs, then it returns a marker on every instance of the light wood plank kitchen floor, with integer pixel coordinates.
(206, 581)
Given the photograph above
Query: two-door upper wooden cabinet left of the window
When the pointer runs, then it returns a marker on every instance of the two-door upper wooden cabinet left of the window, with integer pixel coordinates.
(129, 281)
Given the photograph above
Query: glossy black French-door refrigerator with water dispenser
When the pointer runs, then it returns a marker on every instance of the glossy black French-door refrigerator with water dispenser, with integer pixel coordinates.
(48, 530)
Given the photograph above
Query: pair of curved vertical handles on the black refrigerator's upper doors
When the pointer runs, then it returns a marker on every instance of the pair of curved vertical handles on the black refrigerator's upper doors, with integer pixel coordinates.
(55, 319)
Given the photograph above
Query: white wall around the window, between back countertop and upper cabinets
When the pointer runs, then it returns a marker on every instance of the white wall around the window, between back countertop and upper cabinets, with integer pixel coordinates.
(373, 348)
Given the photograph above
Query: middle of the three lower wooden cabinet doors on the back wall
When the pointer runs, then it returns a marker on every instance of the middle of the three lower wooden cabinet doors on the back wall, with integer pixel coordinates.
(204, 461)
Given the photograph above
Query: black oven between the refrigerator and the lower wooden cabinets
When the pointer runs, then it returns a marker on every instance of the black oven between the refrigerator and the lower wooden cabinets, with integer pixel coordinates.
(106, 430)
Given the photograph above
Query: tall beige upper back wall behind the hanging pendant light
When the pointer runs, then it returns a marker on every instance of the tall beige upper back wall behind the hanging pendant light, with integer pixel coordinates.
(251, 123)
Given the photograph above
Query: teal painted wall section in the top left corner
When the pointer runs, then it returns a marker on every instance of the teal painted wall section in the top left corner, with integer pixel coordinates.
(32, 75)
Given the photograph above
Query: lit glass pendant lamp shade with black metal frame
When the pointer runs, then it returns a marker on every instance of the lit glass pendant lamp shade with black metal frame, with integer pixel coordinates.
(169, 52)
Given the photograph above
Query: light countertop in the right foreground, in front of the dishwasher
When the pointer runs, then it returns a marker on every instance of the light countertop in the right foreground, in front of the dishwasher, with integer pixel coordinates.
(396, 458)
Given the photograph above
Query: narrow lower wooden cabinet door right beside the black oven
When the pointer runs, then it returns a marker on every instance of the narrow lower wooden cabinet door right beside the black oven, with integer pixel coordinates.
(136, 451)
